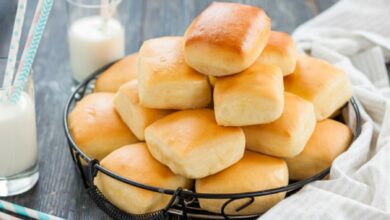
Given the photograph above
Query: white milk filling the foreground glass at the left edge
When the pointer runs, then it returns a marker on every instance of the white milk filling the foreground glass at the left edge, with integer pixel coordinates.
(18, 140)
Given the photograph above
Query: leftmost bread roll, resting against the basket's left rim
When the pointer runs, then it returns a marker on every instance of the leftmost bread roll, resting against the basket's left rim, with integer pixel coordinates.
(96, 128)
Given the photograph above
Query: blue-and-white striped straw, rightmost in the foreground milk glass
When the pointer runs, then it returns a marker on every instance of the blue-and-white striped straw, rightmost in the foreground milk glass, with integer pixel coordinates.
(27, 61)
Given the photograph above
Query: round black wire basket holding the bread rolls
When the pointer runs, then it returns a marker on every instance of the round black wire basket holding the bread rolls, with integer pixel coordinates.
(184, 202)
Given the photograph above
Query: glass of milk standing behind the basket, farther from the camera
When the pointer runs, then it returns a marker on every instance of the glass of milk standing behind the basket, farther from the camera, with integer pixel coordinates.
(96, 35)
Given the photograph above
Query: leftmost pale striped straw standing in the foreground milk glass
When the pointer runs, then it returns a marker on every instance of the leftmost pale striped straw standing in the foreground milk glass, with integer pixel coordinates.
(14, 47)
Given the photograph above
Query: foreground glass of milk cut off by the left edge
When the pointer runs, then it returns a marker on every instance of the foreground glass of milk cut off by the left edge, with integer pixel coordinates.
(18, 141)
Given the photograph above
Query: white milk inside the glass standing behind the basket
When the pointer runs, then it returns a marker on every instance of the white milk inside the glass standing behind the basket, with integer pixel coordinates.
(93, 43)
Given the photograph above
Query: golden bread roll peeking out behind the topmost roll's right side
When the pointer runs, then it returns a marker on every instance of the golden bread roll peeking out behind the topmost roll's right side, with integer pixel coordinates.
(280, 51)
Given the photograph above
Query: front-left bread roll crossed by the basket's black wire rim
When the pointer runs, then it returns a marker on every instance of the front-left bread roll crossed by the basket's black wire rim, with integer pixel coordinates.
(135, 163)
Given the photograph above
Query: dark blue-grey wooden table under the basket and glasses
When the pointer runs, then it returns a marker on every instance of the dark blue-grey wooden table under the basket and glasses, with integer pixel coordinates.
(59, 190)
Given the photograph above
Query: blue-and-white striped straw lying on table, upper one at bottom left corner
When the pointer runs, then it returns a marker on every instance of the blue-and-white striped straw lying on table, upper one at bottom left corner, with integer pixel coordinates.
(26, 212)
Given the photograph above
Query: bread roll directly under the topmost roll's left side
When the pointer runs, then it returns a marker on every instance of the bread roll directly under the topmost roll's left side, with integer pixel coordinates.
(166, 81)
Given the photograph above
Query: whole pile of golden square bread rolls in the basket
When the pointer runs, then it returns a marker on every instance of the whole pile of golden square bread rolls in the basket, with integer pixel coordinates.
(229, 107)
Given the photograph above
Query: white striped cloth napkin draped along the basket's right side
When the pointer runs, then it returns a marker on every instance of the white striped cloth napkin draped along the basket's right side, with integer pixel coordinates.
(355, 36)
